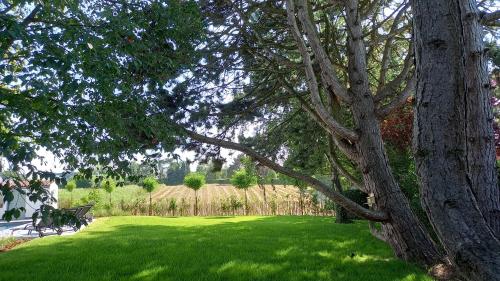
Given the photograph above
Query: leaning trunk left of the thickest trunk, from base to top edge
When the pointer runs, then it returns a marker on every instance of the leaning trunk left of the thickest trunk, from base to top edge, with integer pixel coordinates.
(404, 232)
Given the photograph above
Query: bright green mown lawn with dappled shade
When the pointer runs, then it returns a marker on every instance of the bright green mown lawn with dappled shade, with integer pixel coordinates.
(210, 248)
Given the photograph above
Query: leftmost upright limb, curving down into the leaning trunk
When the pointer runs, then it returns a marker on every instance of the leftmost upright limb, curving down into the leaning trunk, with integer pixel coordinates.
(333, 125)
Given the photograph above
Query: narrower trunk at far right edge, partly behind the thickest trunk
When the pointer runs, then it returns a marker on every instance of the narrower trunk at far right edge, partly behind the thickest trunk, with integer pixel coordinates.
(481, 150)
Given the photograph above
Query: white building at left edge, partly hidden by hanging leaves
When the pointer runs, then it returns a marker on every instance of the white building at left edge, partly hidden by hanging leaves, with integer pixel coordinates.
(22, 200)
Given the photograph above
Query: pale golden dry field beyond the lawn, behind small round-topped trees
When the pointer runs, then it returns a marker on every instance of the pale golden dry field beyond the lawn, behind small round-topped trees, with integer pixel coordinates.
(213, 200)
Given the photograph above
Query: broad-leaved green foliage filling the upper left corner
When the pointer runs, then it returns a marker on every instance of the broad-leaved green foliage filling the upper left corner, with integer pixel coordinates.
(73, 74)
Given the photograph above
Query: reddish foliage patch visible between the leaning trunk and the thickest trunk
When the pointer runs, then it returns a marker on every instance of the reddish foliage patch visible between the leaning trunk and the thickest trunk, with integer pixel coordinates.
(397, 128)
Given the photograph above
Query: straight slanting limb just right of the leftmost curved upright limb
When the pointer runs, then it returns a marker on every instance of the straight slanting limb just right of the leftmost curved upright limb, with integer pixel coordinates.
(328, 74)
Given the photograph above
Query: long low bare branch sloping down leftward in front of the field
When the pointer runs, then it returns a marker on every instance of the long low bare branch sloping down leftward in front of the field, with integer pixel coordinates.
(317, 184)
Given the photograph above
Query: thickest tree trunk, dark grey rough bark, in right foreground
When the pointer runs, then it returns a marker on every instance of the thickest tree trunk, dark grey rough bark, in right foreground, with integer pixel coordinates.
(453, 136)
